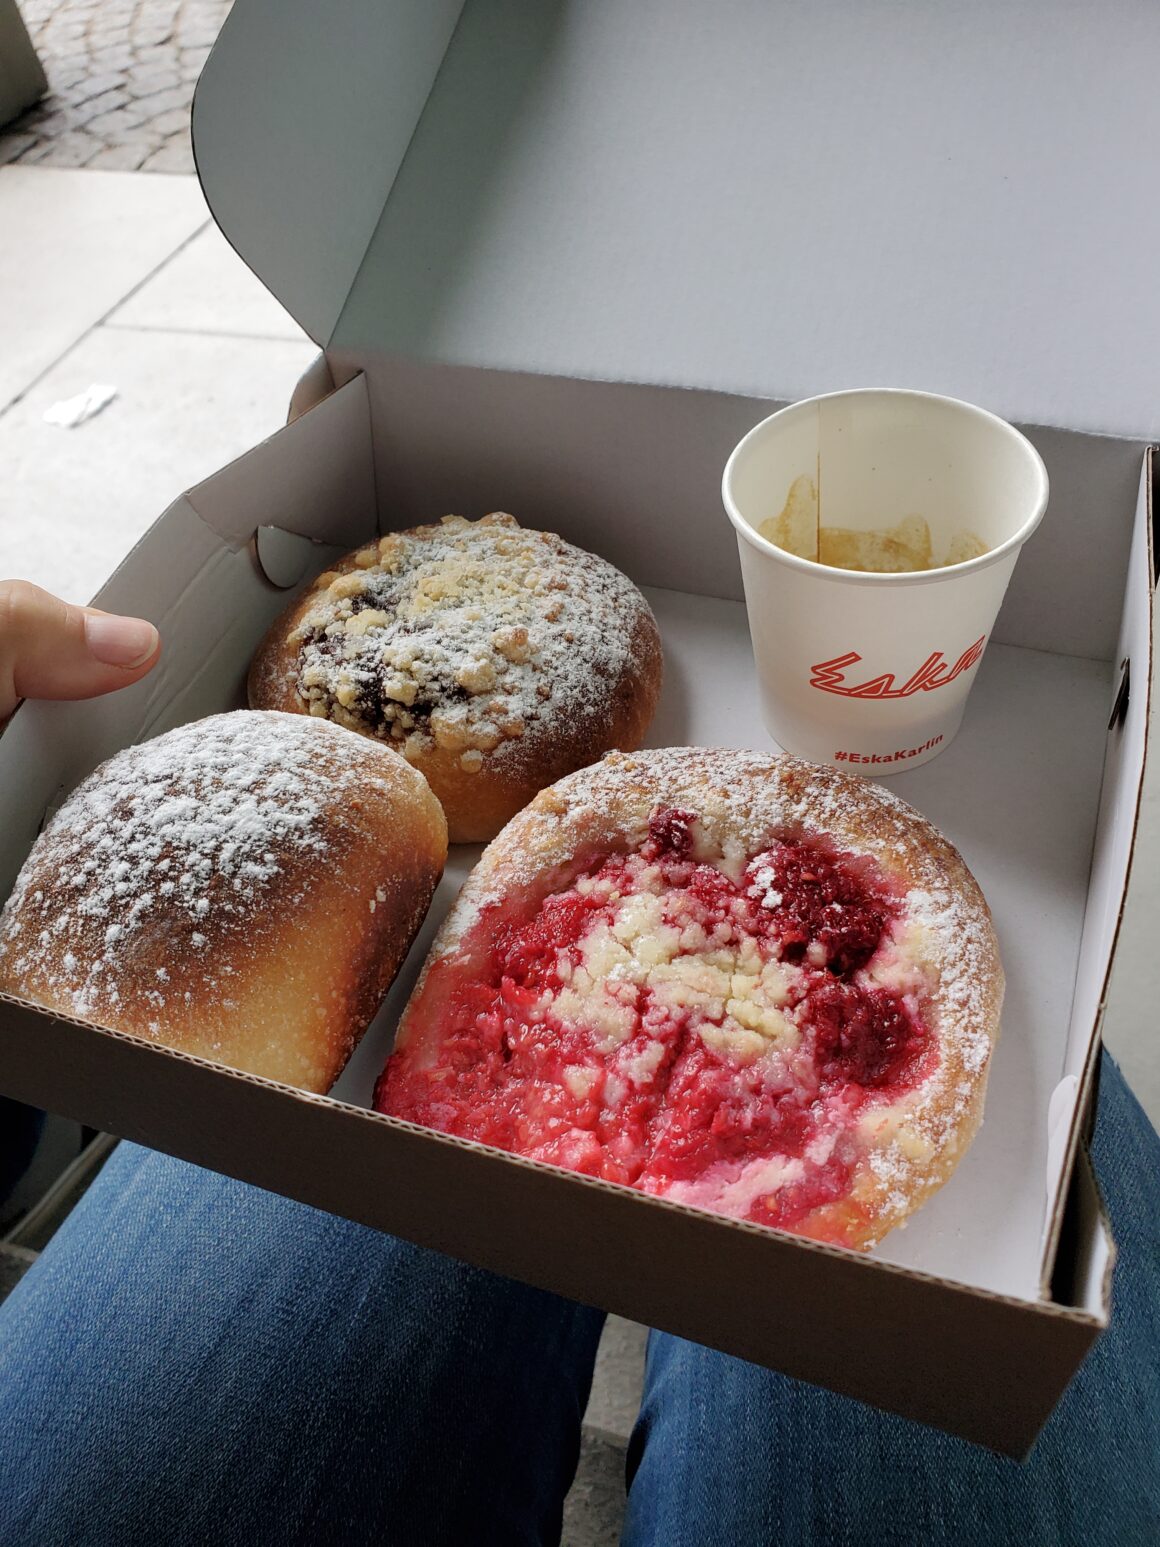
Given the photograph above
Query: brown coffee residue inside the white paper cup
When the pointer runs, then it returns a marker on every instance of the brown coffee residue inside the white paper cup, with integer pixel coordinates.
(890, 550)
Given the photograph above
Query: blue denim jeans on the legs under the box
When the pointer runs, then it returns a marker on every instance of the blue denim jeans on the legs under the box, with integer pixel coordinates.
(197, 1364)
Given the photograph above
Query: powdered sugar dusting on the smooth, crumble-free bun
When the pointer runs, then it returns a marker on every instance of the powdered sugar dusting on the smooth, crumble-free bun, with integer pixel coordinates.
(183, 835)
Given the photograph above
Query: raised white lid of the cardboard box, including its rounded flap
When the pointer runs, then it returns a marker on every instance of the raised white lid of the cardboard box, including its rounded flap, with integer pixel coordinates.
(777, 200)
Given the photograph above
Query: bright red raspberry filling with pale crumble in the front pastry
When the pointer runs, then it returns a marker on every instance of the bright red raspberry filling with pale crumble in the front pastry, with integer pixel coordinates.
(660, 1076)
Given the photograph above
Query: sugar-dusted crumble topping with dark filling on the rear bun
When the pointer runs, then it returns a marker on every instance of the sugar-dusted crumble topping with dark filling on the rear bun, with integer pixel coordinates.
(477, 638)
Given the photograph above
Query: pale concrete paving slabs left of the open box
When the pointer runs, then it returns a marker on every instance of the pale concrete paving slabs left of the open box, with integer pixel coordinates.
(123, 279)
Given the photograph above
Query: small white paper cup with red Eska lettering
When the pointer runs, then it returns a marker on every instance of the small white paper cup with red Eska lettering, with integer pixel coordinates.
(873, 671)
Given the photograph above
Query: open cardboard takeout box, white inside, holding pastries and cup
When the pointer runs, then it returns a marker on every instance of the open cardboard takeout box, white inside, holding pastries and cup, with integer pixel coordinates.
(561, 258)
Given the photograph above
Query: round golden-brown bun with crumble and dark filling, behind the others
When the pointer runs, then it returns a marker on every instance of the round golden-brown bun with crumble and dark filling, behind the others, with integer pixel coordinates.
(496, 660)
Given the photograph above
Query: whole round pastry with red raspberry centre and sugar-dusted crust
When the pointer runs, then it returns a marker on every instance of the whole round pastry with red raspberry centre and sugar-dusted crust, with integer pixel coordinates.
(734, 980)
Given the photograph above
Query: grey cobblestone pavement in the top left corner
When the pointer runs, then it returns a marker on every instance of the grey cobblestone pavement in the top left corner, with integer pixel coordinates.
(121, 78)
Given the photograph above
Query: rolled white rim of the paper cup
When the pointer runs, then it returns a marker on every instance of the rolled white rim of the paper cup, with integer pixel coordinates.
(878, 578)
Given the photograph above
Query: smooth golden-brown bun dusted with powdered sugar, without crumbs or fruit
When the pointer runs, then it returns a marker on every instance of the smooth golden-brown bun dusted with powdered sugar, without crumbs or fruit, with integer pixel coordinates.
(244, 889)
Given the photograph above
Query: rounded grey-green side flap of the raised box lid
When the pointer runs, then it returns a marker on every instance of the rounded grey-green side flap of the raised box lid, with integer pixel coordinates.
(302, 118)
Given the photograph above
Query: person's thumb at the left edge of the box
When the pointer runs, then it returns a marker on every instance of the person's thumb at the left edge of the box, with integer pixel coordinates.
(50, 649)
